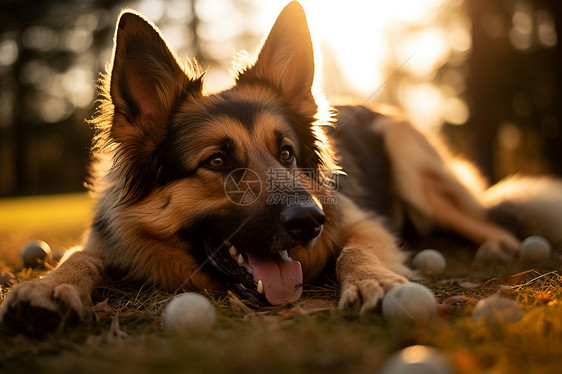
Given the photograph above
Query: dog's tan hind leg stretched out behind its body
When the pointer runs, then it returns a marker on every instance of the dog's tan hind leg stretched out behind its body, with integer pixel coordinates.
(431, 191)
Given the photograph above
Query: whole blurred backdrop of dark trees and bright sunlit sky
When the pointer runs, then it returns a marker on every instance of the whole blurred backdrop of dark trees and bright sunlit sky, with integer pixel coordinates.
(486, 74)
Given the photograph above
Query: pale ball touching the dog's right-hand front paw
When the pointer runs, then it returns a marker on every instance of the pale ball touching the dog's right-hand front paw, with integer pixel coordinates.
(409, 302)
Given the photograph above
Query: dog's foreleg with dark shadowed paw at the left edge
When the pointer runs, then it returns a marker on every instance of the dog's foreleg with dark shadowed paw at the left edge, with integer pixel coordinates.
(63, 293)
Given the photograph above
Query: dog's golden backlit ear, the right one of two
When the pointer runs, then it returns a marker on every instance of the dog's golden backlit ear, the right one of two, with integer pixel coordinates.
(286, 59)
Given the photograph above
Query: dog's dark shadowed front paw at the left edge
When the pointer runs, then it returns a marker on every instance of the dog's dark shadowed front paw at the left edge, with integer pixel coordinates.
(44, 304)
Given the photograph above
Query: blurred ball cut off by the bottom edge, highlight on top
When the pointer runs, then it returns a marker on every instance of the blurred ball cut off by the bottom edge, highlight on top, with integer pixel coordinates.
(418, 359)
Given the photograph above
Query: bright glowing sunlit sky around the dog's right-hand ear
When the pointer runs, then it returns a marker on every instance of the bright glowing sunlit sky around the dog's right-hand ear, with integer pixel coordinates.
(365, 48)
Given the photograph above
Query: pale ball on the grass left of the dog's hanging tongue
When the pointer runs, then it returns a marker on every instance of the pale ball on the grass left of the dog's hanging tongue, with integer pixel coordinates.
(189, 313)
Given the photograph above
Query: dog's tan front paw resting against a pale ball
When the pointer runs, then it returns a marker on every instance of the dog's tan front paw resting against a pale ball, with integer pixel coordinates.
(365, 294)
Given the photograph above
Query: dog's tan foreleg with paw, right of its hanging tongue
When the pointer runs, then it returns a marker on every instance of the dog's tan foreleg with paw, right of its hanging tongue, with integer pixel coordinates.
(369, 263)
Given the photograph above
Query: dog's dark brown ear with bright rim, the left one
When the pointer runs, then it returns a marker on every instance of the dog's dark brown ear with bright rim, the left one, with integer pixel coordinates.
(146, 81)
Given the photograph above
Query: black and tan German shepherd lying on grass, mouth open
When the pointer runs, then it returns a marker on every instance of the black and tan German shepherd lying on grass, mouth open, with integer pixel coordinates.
(260, 188)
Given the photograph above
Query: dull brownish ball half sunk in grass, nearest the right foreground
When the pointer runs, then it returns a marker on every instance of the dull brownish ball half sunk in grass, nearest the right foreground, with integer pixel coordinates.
(496, 310)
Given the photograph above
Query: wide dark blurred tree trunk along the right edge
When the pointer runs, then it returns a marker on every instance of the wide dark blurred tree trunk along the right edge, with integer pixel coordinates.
(515, 84)
